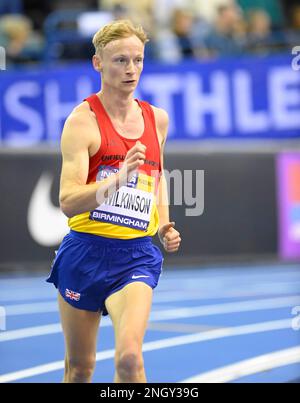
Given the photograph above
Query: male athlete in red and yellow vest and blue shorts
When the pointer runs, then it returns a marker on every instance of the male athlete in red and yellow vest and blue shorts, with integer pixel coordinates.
(112, 172)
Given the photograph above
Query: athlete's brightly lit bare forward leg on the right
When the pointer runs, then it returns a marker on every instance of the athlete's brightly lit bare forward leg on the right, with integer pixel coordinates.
(129, 310)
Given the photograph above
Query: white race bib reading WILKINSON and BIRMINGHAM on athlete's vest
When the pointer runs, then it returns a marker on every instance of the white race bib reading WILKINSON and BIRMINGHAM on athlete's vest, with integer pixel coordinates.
(131, 205)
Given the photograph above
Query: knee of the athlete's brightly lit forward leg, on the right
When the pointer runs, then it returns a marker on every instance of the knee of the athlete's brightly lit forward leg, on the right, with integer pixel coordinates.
(129, 363)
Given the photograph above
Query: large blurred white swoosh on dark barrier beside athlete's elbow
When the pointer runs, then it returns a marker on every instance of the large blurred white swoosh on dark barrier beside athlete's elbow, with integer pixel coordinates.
(46, 223)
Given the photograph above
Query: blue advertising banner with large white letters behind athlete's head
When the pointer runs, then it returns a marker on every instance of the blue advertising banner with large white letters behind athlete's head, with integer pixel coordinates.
(248, 97)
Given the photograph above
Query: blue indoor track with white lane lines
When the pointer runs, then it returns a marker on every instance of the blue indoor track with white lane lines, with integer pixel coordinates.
(215, 324)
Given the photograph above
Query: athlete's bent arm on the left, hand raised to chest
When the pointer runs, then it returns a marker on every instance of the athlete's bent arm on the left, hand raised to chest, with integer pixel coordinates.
(75, 195)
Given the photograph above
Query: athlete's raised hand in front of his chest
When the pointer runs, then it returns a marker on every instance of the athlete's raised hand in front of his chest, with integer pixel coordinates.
(135, 158)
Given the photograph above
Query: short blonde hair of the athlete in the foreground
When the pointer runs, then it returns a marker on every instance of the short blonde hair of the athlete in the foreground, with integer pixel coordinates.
(117, 30)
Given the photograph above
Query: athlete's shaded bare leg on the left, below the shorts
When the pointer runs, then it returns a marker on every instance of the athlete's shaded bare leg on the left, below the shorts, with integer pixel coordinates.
(80, 330)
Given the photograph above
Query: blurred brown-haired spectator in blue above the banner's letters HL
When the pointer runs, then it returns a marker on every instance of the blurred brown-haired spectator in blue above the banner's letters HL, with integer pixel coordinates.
(226, 37)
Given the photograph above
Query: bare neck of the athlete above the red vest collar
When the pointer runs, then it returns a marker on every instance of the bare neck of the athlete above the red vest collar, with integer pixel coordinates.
(117, 106)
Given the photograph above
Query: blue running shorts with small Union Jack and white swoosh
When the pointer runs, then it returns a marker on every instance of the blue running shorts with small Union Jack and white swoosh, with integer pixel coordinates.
(89, 268)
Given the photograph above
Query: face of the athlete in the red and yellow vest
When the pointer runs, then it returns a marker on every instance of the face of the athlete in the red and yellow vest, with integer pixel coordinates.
(121, 63)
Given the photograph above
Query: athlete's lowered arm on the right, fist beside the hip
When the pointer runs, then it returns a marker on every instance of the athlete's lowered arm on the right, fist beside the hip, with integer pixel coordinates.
(168, 235)
